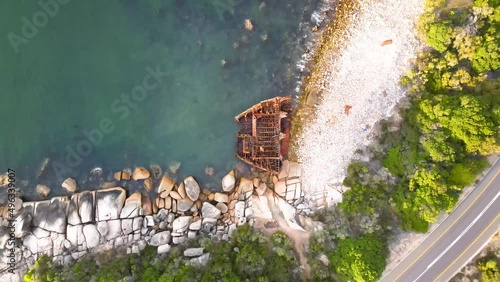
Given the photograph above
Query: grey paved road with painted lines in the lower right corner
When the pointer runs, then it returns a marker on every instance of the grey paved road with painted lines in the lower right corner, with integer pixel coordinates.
(458, 238)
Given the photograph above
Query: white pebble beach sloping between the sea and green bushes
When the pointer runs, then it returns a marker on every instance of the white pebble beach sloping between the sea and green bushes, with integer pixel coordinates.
(359, 88)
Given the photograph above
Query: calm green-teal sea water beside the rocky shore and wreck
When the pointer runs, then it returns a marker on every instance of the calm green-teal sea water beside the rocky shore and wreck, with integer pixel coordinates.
(69, 78)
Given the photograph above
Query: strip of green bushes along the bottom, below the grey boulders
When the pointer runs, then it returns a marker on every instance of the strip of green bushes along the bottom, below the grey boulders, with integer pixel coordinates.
(249, 256)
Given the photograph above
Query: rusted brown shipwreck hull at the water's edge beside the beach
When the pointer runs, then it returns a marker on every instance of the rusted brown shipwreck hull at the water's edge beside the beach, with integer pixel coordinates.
(264, 134)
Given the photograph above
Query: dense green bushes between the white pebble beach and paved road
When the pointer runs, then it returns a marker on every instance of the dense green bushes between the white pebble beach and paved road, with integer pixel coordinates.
(451, 124)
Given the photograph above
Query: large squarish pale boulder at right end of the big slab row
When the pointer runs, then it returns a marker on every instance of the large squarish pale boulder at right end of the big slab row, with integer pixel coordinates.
(109, 203)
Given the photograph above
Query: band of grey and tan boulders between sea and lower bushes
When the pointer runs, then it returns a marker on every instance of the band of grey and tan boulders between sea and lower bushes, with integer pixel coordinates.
(68, 227)
